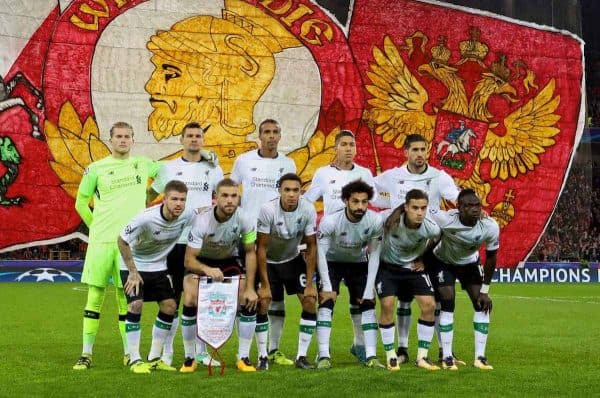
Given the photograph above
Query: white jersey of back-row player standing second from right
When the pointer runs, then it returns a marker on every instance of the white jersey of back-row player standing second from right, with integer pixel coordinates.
(328, 182)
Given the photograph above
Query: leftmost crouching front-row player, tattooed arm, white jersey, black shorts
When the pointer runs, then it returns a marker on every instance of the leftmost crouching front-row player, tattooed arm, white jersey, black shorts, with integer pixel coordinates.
(144, 245)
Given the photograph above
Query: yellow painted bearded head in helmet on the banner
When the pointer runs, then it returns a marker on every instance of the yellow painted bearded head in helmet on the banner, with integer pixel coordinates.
(207, 69)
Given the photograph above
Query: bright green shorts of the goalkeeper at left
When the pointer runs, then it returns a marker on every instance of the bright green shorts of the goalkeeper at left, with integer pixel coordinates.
(101, 264)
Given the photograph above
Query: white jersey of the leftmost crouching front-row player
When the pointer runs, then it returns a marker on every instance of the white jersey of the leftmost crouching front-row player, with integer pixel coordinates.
(151, 238)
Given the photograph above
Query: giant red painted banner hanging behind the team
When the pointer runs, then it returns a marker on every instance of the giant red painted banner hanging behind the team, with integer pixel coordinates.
(499, 101)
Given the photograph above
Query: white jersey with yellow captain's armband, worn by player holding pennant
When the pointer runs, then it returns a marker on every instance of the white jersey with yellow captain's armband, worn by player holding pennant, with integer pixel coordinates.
(219, 240)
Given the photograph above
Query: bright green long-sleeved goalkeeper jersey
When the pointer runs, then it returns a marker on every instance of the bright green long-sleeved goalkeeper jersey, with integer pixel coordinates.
(118, 188)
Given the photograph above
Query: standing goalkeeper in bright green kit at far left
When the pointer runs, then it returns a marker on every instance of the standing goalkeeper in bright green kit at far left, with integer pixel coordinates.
(117, 184)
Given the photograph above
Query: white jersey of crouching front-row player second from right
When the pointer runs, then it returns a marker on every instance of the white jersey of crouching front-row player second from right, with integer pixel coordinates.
(403, 245)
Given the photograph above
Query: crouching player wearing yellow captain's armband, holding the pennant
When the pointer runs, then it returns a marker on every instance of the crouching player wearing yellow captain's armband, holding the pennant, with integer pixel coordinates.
(212, 250)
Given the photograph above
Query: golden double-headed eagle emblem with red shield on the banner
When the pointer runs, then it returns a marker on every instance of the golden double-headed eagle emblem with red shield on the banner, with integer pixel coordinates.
(512, 143)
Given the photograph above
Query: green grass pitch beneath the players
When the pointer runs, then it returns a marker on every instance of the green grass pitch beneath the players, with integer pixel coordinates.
(543, 342)
